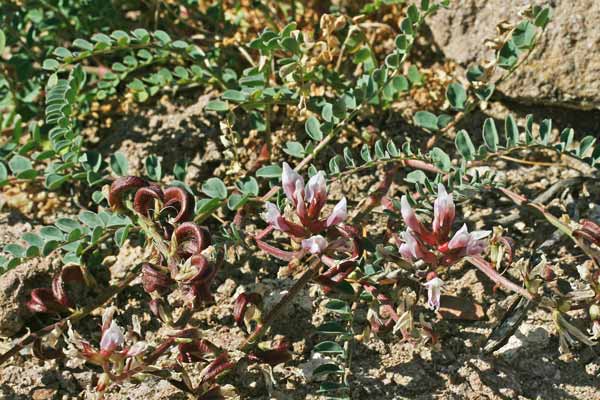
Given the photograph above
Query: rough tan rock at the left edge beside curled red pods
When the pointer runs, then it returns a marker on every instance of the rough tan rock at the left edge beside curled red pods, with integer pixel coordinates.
(15, 288)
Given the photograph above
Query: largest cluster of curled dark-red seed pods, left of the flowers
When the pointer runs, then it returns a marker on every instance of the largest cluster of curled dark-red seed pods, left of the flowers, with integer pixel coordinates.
(190, 262)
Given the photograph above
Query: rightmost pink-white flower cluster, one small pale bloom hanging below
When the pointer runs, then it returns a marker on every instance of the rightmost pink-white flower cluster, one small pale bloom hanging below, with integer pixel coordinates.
(434, 246)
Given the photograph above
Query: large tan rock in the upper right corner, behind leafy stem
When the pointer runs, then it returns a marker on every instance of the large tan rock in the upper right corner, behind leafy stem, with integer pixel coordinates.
(563, 70)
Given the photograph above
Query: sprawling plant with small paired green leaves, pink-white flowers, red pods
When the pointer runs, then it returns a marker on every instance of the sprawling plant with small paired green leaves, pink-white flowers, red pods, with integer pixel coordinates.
(328, 87)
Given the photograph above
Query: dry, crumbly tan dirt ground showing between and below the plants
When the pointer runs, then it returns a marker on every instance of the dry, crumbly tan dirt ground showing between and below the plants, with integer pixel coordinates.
(529, 366)
